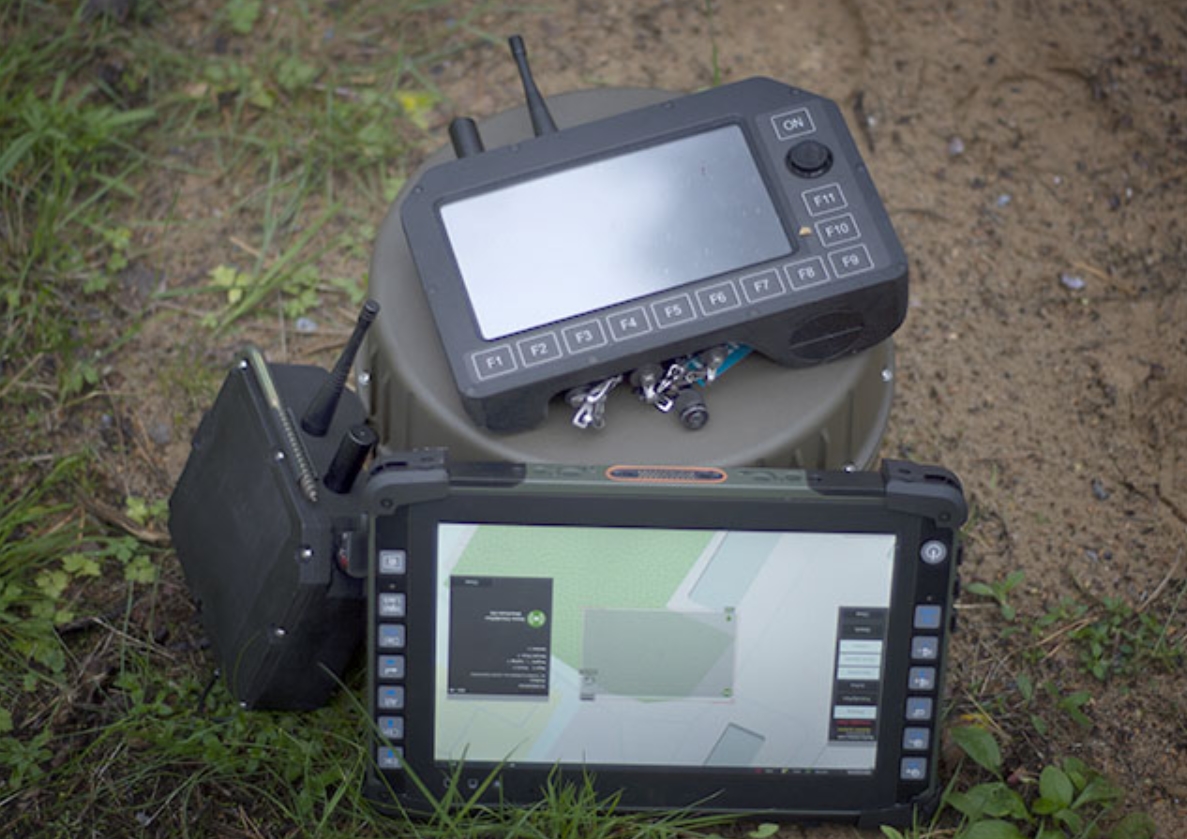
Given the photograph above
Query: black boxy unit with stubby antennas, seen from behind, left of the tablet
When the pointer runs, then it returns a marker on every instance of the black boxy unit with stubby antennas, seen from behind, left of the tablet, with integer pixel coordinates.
(268, 523)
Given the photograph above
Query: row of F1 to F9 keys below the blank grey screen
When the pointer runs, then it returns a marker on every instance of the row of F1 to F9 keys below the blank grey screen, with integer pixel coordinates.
(681, 309)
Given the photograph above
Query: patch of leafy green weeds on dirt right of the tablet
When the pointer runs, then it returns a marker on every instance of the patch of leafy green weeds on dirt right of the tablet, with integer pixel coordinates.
(1013, 793)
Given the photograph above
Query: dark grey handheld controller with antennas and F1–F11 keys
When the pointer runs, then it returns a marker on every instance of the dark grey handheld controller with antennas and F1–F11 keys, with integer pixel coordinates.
(742, 215)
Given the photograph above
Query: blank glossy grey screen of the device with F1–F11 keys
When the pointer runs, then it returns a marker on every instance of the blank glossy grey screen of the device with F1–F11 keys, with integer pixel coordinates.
(615, 230)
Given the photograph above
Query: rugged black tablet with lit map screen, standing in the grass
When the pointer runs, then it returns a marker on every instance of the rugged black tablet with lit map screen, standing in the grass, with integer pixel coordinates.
(753, 640)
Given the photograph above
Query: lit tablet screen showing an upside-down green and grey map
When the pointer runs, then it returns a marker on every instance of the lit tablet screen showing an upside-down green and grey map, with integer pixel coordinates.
(623, 646)
